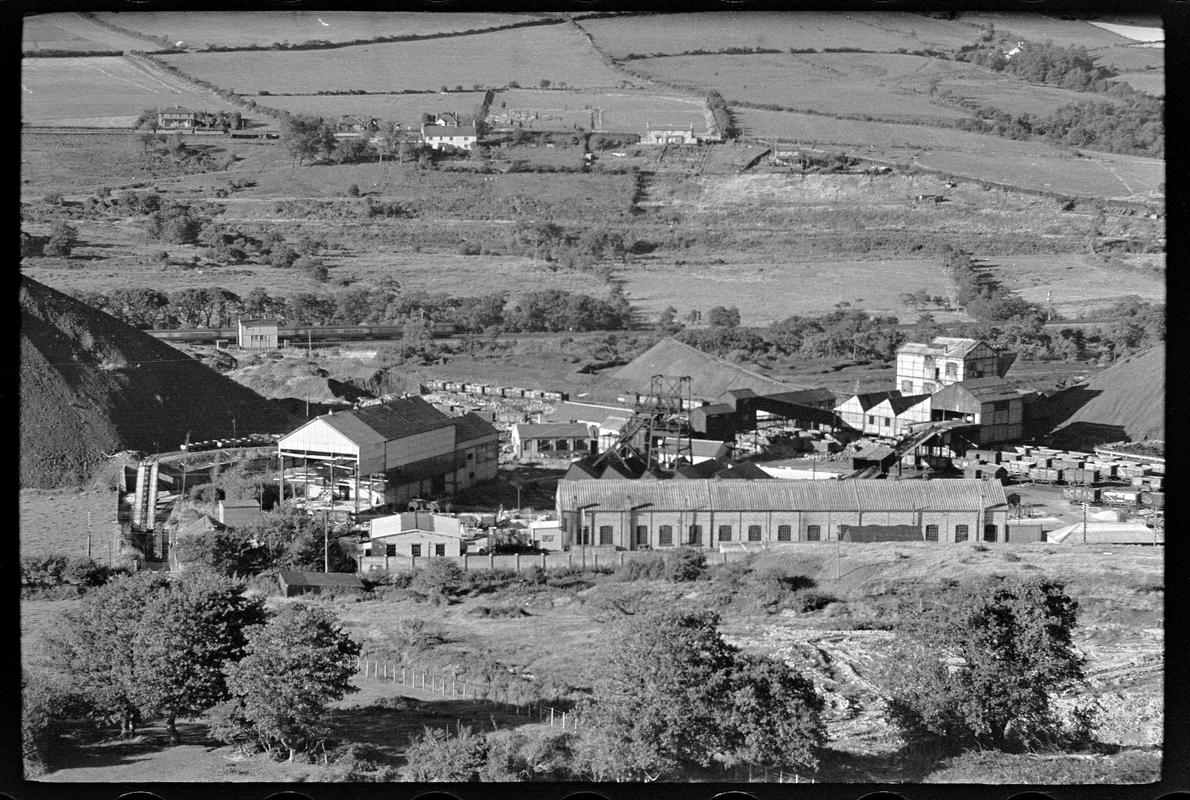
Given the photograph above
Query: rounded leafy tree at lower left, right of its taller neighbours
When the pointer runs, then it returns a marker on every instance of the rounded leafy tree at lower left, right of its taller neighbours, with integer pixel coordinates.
(293, 667)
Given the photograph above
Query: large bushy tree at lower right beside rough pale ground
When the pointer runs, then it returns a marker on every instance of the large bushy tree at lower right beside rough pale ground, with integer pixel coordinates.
(982, 670)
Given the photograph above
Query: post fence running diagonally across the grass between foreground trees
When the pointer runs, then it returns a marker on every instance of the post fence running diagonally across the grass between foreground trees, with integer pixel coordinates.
(455, 689)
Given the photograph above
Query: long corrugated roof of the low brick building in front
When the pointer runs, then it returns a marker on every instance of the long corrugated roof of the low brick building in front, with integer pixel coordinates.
(947, 495)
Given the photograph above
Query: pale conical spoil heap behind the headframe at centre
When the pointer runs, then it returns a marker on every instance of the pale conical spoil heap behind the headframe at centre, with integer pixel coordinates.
(710, 377)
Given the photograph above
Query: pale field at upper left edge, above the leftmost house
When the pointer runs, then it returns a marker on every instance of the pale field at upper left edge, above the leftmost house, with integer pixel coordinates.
(103, 92)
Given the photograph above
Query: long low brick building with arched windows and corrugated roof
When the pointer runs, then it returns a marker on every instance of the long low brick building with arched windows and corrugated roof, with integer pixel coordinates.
(707, 514)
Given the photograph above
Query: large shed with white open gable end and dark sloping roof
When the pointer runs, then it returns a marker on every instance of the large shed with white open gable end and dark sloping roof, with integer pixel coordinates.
(416, 448)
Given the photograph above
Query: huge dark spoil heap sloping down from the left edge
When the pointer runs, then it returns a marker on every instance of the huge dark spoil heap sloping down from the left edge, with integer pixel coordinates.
(91, 385)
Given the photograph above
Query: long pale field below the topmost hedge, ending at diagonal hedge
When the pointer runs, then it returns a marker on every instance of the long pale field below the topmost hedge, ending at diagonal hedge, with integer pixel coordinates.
(555, 53)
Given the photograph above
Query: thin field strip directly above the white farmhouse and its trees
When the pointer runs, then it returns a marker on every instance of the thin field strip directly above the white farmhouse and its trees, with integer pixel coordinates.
(404, 109)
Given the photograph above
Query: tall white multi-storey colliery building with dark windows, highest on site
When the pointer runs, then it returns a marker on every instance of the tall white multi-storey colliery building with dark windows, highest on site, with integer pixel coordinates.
(925, 368)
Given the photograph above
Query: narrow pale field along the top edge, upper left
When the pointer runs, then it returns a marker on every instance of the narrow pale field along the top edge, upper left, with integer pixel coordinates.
(199, 29)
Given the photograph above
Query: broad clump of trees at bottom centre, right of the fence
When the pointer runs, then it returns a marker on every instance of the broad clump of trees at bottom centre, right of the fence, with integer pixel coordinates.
(675, 695)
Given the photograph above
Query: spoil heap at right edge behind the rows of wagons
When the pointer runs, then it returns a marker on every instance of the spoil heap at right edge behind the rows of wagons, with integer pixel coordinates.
(1126, 402)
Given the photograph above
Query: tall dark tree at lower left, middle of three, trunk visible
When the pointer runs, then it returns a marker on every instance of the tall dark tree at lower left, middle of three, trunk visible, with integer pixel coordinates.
(191, 633)
